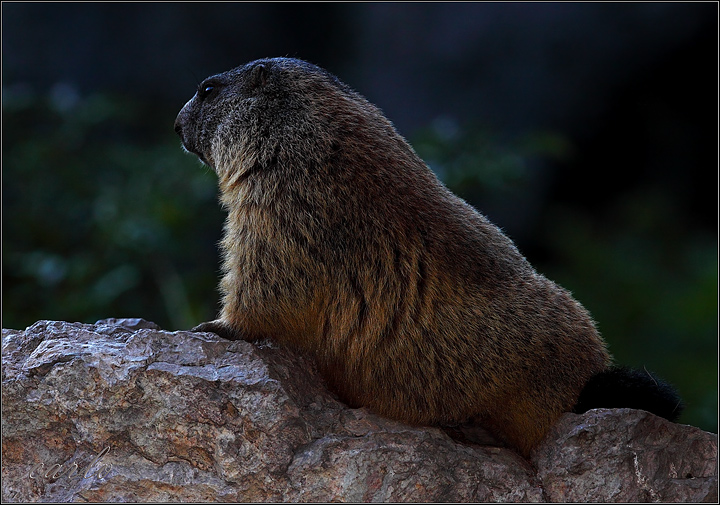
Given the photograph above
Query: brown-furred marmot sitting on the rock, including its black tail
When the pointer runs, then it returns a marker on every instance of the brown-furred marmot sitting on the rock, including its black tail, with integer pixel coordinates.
(341, 242)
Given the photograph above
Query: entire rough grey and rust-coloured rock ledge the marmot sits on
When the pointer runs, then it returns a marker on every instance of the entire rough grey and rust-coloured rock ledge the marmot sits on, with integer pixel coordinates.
(124, 411)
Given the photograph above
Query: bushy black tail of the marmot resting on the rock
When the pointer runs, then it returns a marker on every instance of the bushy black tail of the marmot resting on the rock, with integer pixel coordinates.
(623, 387)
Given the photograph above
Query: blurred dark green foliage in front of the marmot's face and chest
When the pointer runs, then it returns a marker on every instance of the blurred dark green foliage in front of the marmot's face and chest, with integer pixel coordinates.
(103, 214)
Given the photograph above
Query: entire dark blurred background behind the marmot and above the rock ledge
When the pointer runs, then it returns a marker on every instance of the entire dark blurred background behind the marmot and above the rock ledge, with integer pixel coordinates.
(587, 131)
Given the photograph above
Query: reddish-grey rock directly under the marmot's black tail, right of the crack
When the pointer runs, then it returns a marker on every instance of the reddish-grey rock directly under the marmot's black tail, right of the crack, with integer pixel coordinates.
(625, 455)
